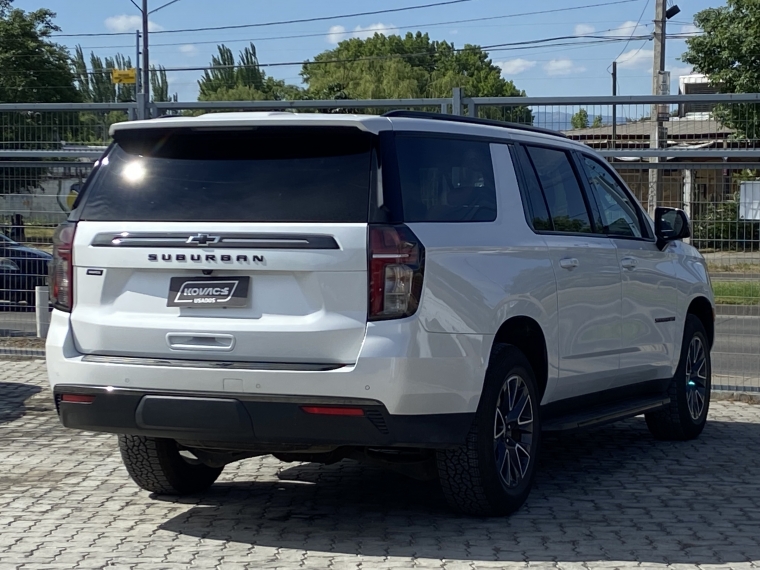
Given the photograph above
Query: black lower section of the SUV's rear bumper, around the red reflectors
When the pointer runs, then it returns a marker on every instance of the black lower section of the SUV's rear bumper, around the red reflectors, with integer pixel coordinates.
(250, 422)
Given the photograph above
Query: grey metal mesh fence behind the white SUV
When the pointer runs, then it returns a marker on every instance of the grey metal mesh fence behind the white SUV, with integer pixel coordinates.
(695, 154)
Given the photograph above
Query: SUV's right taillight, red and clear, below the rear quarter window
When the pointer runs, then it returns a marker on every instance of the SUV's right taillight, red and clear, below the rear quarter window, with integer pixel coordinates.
(396, 266)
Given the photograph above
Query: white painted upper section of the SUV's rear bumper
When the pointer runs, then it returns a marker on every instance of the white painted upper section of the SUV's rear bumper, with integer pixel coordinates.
(403, 368)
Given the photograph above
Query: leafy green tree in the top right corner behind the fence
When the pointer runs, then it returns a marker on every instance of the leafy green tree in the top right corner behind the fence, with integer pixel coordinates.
(727, 54)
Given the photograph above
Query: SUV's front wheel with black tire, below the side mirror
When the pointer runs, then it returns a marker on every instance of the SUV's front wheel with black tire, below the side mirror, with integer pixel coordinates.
(689, 390)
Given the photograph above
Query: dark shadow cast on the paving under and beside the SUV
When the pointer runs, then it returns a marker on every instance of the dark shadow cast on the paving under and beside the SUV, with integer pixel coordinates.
(611, 494)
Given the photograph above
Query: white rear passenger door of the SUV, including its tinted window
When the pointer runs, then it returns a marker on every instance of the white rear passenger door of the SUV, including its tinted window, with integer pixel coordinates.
(587, 272)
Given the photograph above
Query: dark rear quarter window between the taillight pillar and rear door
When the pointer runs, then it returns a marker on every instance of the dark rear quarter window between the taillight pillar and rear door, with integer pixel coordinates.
(446, 180)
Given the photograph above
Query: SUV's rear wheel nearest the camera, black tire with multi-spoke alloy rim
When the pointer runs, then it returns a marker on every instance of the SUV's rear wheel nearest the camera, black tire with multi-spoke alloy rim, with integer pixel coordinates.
(472, 477)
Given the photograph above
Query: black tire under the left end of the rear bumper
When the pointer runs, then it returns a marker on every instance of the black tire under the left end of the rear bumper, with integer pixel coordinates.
(157, 466)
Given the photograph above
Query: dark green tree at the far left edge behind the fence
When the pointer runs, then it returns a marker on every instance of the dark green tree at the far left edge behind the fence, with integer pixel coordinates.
(33, 69)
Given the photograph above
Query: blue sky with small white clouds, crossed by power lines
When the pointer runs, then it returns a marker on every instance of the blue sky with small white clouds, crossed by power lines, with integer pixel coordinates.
(541, 71)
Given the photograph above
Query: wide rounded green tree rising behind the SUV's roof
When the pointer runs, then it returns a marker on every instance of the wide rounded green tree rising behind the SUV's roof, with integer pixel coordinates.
(413, 66)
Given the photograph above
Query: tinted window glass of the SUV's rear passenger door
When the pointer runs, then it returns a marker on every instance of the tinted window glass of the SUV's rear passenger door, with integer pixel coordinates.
(563, 194)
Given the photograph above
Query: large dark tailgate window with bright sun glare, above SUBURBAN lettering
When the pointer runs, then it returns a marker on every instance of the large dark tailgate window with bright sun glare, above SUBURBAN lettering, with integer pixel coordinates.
(258, 174)
